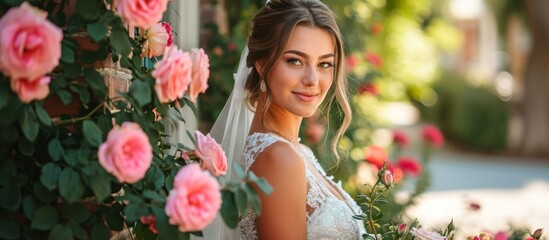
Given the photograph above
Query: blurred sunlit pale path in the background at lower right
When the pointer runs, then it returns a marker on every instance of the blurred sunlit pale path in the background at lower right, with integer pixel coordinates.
(509, 190)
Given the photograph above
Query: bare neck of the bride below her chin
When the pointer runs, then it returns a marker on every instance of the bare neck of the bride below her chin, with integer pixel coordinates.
(278, 121)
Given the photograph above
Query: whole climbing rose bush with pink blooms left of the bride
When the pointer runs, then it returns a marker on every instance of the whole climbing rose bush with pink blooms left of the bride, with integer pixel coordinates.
(87, 88)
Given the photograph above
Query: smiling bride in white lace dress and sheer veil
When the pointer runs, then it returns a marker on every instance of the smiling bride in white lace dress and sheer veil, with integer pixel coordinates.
(294, 65)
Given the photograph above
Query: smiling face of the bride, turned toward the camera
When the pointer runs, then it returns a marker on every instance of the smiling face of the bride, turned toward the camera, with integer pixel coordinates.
(301, 77)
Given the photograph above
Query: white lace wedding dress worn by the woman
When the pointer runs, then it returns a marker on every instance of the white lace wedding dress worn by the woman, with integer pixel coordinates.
(328, 217)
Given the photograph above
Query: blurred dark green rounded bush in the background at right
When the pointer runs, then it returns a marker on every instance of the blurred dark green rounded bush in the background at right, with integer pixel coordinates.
(475, 117)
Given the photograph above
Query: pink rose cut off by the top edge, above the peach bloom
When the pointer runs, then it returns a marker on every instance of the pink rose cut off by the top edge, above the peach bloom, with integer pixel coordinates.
(141, 13)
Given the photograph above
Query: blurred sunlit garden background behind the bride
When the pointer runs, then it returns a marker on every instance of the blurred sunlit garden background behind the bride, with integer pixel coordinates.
(478, 70)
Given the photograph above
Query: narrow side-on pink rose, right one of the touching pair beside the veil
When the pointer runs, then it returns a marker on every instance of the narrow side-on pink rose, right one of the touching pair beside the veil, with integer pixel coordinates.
(201, 73)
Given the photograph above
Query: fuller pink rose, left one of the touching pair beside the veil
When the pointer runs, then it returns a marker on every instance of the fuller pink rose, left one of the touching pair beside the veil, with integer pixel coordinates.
(172, 74)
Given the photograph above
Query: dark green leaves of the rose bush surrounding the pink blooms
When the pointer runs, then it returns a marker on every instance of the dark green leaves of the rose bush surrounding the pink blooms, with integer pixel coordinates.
(51, 182)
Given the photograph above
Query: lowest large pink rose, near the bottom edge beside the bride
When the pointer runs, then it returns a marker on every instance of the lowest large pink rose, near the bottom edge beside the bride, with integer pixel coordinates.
(194, 200)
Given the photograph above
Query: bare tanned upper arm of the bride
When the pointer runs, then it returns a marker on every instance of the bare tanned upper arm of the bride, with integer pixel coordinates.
(283, 213)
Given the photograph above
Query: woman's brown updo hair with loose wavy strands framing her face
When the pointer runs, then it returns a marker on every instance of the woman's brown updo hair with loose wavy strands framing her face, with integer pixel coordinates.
(271, 29)
